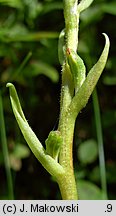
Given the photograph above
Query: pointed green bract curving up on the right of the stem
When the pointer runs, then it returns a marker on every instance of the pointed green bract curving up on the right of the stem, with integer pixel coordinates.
(81, 98)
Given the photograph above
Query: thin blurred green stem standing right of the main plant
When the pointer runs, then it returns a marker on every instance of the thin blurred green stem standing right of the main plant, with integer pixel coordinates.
(100, 144)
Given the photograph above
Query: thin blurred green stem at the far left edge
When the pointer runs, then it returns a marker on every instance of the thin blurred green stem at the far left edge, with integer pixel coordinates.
(5, 152)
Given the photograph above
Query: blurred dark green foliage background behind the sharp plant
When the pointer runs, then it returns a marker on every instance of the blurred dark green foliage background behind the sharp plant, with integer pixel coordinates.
(29, 31)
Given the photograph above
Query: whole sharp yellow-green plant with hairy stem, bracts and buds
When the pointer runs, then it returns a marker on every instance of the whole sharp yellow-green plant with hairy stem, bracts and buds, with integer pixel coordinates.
(76, 89)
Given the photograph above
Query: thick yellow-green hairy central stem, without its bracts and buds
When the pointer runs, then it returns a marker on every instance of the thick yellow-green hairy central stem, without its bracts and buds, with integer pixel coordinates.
(67, 182)
